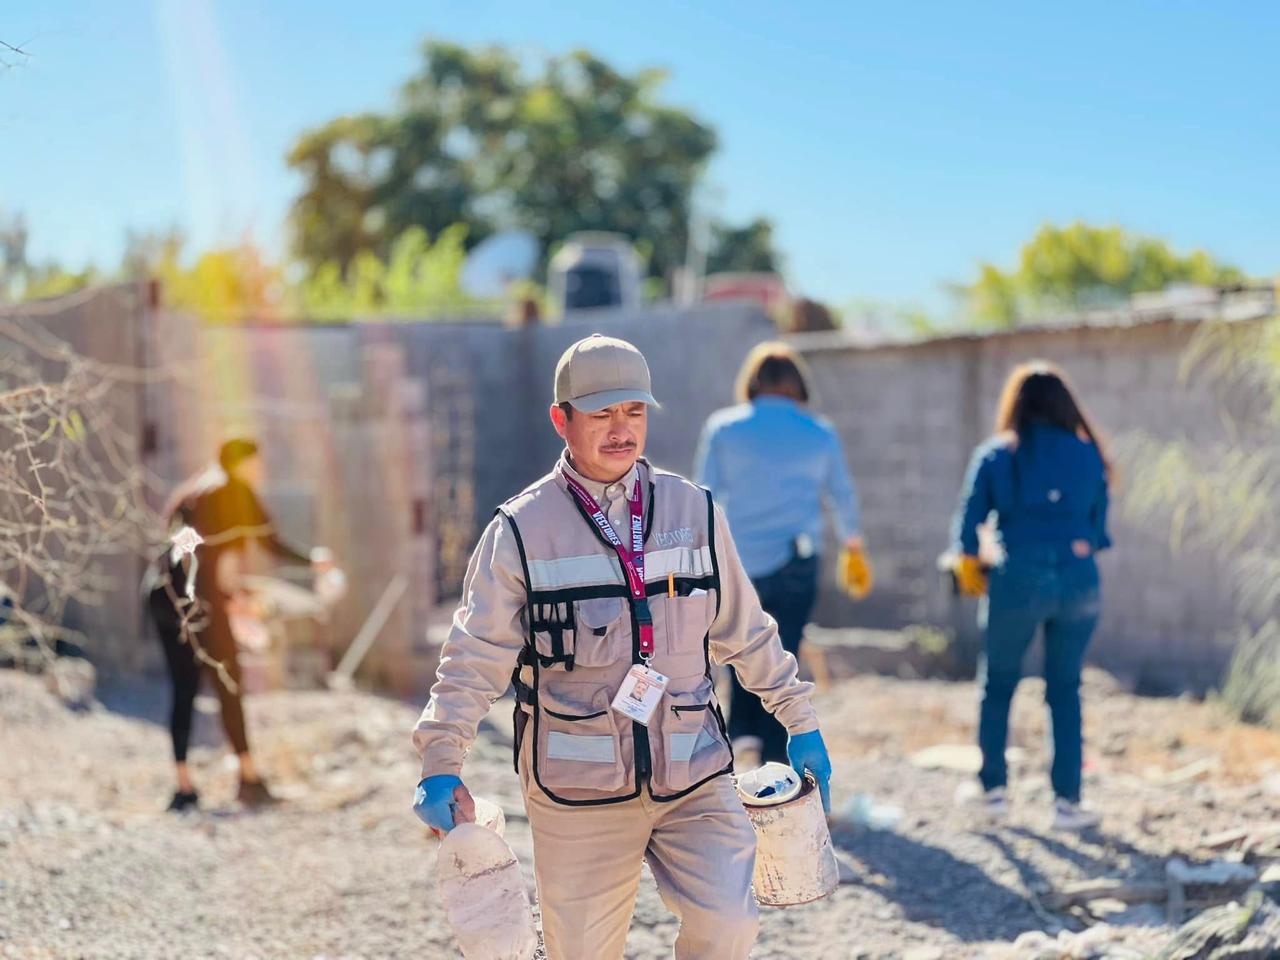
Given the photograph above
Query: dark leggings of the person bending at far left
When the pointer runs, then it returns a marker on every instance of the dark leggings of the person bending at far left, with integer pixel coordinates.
(185, 671)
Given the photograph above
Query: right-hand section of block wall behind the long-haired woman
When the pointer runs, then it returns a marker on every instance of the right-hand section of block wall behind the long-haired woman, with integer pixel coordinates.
(911, 418)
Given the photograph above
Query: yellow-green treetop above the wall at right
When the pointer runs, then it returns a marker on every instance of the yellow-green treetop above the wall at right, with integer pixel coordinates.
(1066, 271)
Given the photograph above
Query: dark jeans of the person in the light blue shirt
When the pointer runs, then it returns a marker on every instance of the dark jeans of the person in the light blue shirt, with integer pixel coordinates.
(788, 596)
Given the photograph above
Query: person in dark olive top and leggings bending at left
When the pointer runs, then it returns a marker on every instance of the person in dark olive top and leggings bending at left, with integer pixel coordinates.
(193, 597)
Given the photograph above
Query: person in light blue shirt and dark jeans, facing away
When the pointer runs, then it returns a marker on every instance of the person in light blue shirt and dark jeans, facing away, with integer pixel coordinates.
(774, 468)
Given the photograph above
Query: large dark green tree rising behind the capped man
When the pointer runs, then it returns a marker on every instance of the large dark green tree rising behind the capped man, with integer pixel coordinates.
(478, 140)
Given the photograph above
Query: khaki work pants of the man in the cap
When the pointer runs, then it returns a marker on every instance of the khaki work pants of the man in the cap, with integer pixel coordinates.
(701, 851)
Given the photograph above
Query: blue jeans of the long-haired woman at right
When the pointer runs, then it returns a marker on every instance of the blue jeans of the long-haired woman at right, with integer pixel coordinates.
(1062, 595)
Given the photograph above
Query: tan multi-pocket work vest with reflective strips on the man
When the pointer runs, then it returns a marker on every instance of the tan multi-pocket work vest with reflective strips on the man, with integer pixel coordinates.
(583, 638)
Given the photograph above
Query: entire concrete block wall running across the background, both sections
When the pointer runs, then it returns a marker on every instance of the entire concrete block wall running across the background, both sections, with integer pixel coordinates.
(317, 397)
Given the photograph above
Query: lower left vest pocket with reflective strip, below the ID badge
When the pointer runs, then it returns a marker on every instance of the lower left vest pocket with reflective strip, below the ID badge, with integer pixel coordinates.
(578, 744)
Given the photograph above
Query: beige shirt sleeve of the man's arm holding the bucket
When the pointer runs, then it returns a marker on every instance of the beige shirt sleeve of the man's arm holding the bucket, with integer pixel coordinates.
(747, 638)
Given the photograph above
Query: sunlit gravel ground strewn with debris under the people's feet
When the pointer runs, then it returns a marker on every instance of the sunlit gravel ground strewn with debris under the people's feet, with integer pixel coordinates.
(90, 866)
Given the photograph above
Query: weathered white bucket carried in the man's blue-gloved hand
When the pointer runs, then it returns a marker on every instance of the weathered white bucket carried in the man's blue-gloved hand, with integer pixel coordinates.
(796, 862)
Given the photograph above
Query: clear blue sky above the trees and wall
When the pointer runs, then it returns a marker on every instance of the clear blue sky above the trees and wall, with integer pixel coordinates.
(895, 145)
